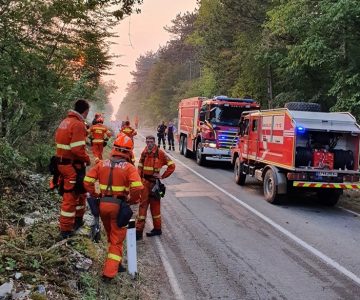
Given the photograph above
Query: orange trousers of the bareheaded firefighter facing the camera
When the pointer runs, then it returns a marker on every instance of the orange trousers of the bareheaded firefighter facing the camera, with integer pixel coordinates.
(148, 199)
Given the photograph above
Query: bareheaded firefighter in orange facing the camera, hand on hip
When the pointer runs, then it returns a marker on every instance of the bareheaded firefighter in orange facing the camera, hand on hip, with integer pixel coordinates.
(151, 161)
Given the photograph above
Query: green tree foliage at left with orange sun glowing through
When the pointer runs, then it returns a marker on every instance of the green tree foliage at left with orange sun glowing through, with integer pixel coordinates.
(50, 53)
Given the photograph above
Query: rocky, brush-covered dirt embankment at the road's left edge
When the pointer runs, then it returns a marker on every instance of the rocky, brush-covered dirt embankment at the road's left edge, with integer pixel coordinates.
(36, 264)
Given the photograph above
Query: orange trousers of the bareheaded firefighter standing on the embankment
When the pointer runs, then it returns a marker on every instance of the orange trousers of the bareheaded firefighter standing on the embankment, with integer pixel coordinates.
(73, 204)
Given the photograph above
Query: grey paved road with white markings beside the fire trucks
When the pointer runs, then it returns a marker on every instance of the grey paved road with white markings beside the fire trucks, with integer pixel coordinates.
(228, 243)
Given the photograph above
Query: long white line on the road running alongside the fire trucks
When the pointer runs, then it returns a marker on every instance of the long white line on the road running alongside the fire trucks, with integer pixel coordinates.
(302, 243)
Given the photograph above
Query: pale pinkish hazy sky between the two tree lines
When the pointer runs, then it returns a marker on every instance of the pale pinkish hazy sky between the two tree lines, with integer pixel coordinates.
(140, 33)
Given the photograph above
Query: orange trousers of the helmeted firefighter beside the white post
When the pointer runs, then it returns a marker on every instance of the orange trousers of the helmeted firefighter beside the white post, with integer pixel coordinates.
(115, 235)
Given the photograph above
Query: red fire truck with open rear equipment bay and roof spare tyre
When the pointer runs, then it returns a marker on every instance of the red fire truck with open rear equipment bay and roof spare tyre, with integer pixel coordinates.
(292, 149)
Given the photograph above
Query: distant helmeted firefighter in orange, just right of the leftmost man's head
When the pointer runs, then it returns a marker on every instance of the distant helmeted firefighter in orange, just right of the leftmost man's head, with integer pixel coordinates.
(99, 134)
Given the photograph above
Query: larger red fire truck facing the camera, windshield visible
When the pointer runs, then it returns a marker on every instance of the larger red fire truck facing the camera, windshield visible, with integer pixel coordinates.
(208, 127)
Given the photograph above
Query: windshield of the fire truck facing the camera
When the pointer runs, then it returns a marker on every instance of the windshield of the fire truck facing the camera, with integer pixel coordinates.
(225, 115)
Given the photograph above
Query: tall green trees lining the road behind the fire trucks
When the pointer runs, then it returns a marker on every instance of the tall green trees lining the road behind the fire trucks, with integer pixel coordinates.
(274, 51)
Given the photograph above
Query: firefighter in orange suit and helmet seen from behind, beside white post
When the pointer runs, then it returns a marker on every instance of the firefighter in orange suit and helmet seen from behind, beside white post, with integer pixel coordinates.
(118, 180)
